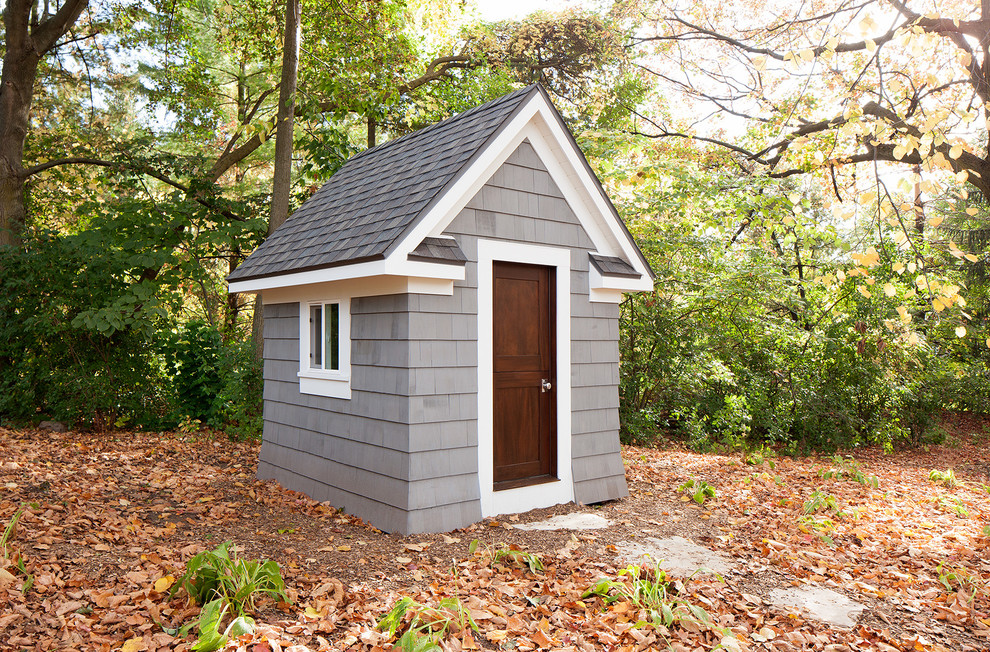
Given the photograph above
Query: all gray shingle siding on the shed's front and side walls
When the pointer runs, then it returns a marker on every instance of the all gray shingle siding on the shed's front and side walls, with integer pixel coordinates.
(402, 452)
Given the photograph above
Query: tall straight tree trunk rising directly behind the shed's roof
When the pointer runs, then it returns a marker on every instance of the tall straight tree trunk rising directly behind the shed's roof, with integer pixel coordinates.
(282, 182)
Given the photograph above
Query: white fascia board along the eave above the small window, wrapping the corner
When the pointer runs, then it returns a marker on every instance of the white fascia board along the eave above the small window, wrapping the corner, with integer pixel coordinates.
(376, 268)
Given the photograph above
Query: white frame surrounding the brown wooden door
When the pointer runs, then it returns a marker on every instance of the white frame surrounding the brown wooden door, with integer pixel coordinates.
(513, 501)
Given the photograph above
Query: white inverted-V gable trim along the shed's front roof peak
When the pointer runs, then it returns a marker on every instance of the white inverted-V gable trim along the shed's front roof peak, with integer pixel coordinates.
(537, 121)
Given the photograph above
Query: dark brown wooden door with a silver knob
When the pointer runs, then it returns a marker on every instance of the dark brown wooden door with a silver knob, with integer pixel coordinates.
(524, 390)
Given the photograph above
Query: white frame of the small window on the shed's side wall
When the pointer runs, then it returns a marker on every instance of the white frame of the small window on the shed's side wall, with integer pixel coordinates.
(335, 383)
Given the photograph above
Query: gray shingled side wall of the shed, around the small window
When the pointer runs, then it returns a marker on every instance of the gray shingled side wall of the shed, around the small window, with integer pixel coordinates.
(353, 453)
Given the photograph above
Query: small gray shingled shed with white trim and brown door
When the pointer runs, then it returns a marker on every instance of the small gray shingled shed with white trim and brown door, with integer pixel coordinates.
(441, 325)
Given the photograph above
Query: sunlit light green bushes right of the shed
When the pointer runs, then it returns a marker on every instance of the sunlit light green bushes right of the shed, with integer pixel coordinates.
(732, 350)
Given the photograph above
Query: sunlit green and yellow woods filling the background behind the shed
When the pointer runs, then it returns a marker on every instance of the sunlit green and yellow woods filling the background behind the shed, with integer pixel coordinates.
(810, 191)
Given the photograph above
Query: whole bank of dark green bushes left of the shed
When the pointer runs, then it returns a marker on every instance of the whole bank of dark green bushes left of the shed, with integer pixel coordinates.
(82, 341)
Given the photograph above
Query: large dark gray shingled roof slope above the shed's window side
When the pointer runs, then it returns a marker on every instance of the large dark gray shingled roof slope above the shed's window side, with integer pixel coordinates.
(379, 194)
